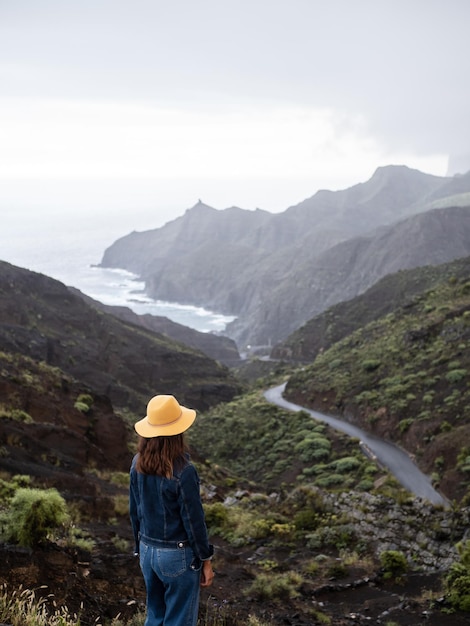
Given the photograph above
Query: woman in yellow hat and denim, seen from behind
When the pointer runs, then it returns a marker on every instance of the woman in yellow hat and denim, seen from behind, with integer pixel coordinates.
(167, 516)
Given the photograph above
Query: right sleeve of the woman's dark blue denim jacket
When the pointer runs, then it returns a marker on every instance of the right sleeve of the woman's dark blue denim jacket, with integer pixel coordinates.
(192, 513)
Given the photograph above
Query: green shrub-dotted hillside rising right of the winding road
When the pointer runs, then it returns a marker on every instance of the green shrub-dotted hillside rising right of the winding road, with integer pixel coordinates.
(405, 376)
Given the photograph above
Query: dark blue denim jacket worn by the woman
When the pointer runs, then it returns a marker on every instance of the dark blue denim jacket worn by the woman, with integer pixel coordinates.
(168, 510)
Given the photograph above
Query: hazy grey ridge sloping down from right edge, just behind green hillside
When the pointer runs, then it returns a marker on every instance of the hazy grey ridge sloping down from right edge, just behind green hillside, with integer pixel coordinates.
(351, 267)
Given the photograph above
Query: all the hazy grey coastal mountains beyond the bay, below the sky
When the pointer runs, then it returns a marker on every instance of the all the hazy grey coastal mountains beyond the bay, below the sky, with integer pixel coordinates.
(276, 271)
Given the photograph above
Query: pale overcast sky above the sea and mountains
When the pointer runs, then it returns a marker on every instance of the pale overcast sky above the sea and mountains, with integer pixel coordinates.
(138, 104)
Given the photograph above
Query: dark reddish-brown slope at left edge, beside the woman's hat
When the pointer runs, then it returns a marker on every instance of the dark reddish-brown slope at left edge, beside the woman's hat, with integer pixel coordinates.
(44, 434)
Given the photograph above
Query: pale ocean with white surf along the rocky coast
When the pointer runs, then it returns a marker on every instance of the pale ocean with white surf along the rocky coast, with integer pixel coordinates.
(68, 247)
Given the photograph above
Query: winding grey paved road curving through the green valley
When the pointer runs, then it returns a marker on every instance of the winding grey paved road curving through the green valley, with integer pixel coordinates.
(387, 454)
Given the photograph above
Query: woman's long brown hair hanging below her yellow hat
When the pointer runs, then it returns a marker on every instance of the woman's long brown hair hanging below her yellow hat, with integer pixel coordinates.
(161, 455)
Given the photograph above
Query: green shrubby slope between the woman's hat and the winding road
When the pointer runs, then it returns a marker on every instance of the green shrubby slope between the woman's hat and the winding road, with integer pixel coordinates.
(266, 444)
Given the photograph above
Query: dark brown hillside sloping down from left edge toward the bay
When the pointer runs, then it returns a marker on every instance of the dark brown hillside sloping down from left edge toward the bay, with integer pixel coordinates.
(42, 319)
